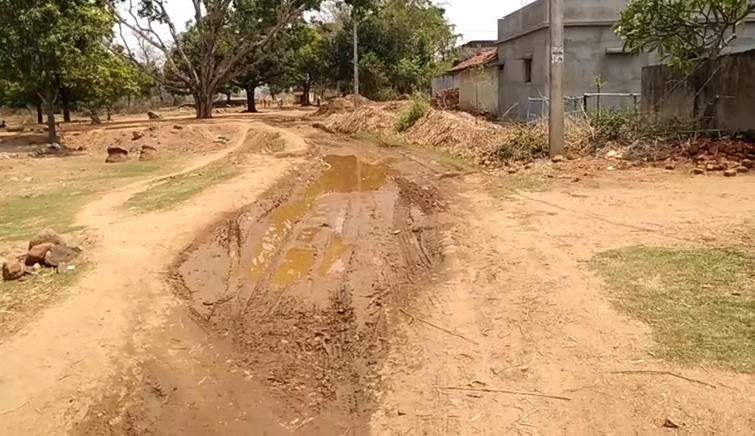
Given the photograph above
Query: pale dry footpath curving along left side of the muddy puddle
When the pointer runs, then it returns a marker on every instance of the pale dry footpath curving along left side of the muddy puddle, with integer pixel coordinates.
(52, 368)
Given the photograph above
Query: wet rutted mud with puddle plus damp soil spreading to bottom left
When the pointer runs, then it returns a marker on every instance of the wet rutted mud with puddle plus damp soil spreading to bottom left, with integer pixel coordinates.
(294, 293)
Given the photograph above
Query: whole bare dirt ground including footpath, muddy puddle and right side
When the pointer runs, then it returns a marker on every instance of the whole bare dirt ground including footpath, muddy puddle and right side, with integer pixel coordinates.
(339, 288)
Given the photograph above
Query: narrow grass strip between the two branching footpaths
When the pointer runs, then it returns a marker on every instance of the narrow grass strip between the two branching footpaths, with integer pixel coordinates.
(171, 191)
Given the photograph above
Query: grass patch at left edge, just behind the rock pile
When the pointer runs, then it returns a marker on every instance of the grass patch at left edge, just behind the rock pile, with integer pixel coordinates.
(21, 217)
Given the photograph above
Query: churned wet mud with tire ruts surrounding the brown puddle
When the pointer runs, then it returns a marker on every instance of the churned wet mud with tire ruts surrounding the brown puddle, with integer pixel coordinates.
(302, 283)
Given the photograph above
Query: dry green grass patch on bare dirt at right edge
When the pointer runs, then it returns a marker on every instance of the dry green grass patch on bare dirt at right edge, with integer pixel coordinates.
(700, 303)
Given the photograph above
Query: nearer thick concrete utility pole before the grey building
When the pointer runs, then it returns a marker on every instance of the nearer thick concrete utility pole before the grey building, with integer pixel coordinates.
(556, 93)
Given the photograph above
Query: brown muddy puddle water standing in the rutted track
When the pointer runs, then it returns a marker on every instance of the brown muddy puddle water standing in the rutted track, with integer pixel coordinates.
(342, 174)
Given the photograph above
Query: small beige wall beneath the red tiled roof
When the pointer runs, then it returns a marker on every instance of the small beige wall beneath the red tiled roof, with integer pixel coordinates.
(485, 84)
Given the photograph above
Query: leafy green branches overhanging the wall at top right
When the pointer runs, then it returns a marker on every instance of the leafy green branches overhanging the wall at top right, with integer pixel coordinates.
(681, 31)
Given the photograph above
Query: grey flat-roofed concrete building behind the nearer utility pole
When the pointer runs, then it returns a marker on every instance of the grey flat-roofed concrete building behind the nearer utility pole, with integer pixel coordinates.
(591, 50)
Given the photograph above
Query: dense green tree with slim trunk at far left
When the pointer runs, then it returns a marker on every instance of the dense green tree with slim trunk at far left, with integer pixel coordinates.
(43, 41)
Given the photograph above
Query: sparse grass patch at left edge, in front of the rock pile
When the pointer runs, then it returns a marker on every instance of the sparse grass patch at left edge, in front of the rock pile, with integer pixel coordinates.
(21, 300)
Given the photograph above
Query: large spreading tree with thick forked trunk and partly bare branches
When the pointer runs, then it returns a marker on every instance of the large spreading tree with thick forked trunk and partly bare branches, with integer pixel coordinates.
(227, 32)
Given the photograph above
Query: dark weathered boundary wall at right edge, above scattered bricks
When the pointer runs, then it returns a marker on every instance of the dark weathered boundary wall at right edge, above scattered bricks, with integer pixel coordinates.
(717, 95)
